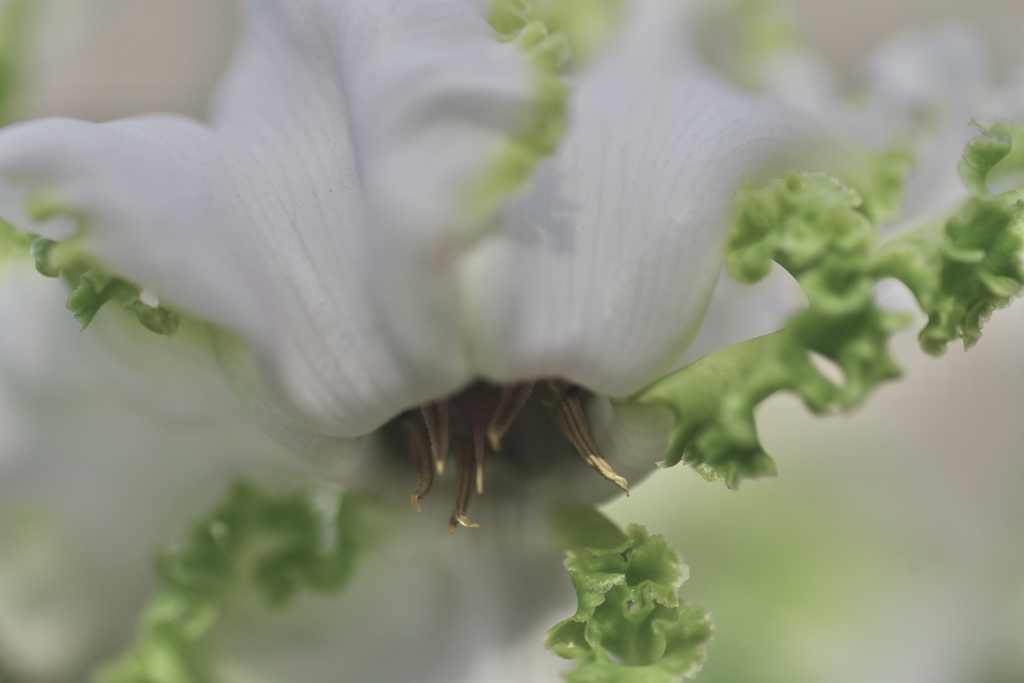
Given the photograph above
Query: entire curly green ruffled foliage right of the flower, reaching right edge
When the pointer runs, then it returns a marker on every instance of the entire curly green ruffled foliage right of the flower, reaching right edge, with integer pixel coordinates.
(825, 234)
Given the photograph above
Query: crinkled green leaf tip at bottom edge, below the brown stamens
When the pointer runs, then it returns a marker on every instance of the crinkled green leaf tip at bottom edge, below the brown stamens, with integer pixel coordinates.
(631, 625)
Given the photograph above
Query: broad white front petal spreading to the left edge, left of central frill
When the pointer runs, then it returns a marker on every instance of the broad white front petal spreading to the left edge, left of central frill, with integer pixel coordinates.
(320, 216)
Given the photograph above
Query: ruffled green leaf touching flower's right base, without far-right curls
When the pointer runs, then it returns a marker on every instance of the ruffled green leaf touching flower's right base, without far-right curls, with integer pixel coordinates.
(822, 233)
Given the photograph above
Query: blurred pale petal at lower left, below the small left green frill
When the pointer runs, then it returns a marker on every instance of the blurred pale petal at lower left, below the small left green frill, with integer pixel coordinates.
(95, 481)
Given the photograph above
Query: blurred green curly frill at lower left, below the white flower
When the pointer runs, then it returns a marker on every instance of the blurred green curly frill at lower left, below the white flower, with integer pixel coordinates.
(285, 545)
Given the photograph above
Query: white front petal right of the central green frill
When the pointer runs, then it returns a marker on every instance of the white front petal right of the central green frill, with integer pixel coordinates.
(602, 274)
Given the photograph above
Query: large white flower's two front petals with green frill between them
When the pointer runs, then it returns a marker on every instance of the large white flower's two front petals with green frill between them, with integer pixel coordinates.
(372, 209)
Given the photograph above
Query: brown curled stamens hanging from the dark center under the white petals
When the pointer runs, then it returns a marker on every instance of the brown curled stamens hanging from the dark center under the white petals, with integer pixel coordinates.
(472, 428)
